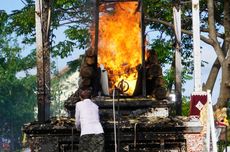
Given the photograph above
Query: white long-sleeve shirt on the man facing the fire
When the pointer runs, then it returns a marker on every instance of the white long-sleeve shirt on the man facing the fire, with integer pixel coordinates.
(87, 116)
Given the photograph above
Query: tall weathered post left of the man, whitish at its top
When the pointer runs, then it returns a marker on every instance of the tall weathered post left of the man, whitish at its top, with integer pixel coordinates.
(42, 14)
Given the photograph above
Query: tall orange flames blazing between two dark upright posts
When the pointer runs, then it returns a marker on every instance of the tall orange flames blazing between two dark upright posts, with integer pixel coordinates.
(119, 46)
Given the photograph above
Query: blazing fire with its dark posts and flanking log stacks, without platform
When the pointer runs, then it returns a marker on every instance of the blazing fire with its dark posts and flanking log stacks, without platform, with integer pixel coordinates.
(118, 47)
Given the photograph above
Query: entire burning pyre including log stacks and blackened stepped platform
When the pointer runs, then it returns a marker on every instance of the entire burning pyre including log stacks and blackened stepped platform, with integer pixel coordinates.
(134, 82)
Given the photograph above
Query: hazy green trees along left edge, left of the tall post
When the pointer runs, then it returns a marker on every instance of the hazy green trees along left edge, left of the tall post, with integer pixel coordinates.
(17, 95)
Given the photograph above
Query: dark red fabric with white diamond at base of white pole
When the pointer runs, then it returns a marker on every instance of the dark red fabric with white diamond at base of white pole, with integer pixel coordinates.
(196, 104)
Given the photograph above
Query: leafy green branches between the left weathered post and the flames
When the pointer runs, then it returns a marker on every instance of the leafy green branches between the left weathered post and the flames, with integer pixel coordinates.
(76, 16)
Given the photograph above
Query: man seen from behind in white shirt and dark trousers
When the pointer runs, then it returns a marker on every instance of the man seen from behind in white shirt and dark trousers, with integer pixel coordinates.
(87, 120)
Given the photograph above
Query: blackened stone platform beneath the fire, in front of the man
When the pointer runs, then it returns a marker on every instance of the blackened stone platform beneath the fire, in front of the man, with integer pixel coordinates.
(137, 129)
